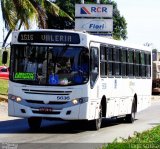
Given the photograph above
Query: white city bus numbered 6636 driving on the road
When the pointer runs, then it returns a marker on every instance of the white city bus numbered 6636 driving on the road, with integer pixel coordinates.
(73, 75)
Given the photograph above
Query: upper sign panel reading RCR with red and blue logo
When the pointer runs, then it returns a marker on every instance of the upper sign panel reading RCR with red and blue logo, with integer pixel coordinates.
(93, 10)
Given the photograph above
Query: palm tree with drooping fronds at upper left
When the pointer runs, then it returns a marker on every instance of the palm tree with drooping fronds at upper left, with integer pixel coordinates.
(23, 12)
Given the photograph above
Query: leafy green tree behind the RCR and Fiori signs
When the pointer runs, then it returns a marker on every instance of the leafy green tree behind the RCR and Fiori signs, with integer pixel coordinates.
(119, 22)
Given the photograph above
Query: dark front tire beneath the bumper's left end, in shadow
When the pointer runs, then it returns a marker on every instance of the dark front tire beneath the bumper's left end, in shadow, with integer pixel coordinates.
(34, 123)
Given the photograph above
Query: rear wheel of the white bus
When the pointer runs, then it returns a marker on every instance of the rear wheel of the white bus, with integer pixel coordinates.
(131, 117)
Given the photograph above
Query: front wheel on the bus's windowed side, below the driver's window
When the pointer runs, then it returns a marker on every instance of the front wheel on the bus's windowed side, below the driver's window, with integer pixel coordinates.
(96, 124)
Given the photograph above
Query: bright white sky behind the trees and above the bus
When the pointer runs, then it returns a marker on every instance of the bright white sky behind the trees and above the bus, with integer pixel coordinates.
(142, 17)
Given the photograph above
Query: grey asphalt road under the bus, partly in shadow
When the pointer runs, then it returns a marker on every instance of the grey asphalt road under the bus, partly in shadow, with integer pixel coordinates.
(72, 135)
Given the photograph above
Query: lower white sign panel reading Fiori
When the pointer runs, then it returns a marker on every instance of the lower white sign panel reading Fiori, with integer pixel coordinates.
(94, 25)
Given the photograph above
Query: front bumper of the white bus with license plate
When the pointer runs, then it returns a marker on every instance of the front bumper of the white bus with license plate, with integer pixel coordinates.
(75, 112)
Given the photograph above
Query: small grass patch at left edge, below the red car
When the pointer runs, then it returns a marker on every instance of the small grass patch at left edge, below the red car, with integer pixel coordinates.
(3, 87)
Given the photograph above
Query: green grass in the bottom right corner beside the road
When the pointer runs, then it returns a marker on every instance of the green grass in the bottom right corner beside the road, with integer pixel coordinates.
(147, 139)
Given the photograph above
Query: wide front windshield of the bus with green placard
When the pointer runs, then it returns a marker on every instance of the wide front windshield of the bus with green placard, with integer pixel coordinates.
(49, 65)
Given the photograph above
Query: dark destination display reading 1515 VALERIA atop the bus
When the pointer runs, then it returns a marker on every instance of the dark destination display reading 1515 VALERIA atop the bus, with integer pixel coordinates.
(49, 37)
